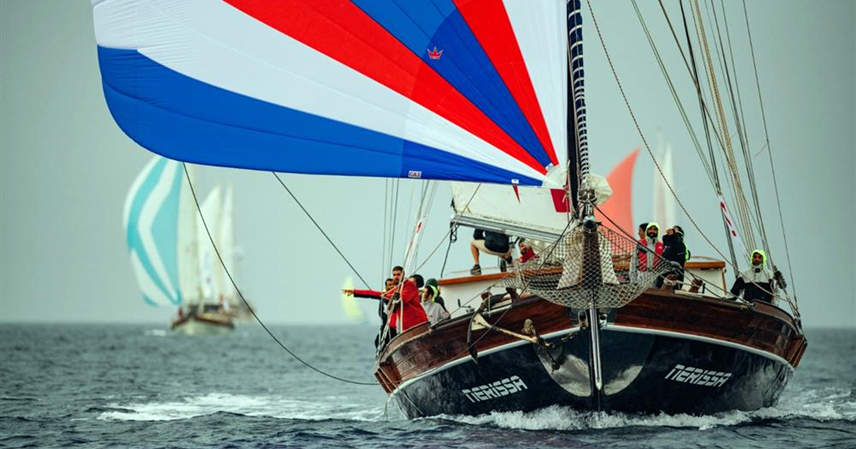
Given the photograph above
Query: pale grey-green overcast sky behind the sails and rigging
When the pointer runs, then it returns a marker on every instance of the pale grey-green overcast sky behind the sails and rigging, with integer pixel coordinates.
(65, 168)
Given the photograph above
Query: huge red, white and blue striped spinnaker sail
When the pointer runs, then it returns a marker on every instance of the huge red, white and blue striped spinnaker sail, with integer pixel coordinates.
(469, 90)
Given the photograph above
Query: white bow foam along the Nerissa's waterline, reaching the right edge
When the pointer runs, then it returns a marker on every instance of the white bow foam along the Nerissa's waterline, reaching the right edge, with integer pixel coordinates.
(831, 404)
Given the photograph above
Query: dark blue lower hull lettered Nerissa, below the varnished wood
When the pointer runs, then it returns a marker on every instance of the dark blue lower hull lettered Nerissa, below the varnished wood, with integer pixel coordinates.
(644, 370)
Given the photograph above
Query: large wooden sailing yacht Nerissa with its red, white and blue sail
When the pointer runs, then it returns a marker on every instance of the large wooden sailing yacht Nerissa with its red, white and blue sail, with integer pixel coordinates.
(489, 95)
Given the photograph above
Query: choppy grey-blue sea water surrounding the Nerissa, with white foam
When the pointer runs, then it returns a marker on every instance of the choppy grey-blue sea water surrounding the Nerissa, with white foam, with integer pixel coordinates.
(143, 386)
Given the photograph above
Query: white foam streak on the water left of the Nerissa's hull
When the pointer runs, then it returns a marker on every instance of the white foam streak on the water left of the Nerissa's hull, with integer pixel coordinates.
(331, 407)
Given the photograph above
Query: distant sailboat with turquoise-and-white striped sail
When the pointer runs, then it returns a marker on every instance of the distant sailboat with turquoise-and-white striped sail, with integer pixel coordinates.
(170, 251)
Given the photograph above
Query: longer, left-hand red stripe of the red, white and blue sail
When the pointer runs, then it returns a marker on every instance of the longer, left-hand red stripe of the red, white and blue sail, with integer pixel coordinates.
(343, 32)
